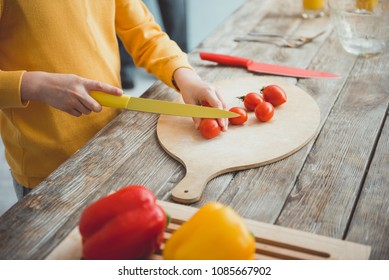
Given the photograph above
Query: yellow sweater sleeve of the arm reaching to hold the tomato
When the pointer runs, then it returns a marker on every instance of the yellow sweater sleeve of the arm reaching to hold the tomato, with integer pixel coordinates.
(149, 46)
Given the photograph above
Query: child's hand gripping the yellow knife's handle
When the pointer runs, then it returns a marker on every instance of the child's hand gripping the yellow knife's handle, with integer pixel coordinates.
(66, 92)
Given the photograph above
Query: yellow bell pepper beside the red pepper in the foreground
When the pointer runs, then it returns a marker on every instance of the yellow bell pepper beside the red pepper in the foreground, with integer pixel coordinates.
(214, 232)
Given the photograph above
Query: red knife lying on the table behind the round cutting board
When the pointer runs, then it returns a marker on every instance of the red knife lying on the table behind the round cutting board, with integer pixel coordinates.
(265, 68)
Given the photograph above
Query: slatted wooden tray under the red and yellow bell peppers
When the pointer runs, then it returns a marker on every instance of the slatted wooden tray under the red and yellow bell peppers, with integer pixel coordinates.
(272, 242)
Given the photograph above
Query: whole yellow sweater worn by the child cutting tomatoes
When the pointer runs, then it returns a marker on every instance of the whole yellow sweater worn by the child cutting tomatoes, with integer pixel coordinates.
(77, 37)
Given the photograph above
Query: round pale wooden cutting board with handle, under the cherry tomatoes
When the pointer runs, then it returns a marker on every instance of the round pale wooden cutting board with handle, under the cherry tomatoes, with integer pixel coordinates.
(241, 147)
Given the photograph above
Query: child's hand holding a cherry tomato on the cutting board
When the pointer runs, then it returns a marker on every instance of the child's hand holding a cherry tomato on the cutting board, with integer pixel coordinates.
(195, 91)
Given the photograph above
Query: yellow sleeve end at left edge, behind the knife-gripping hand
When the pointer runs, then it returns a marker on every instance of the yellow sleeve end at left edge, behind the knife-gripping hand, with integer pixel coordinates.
(10, 89)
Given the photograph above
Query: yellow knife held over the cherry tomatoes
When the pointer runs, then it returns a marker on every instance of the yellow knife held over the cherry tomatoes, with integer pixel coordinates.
(159, 106)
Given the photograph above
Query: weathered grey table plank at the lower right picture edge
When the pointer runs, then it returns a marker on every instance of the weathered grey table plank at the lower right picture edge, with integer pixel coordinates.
(370, 221)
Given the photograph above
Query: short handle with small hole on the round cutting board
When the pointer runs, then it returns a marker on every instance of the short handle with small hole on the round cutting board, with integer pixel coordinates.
(191, 187)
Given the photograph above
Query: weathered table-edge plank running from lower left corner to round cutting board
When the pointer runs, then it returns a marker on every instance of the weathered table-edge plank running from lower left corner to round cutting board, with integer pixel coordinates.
(107, 162)
